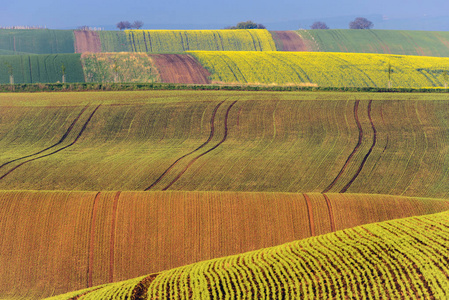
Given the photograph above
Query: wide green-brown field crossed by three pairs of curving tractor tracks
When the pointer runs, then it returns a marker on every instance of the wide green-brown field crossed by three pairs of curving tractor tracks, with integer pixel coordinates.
(226, 141)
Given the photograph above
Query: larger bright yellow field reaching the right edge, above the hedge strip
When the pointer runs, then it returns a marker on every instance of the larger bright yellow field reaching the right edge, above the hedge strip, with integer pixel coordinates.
(325, 69)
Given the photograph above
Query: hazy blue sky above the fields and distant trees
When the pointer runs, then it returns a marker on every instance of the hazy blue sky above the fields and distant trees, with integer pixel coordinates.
(62, 14)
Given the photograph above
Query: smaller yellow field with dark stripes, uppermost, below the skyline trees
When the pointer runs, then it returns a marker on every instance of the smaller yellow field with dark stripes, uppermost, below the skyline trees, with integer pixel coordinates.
(160, 41)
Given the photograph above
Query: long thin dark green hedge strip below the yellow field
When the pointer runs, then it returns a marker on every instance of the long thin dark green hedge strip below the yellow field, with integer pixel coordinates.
(69, 87)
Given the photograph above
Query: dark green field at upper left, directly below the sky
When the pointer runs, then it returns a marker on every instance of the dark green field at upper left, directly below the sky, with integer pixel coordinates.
(36, 41)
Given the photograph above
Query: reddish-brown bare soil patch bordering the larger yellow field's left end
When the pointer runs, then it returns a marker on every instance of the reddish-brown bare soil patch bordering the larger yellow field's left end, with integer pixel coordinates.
(180, 68)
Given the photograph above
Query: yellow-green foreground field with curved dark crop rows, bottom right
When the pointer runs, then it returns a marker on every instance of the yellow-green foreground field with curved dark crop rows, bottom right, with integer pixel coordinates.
(399, 259)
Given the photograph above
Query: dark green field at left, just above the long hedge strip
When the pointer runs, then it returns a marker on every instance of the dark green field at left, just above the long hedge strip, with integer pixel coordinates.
(43, 68)
